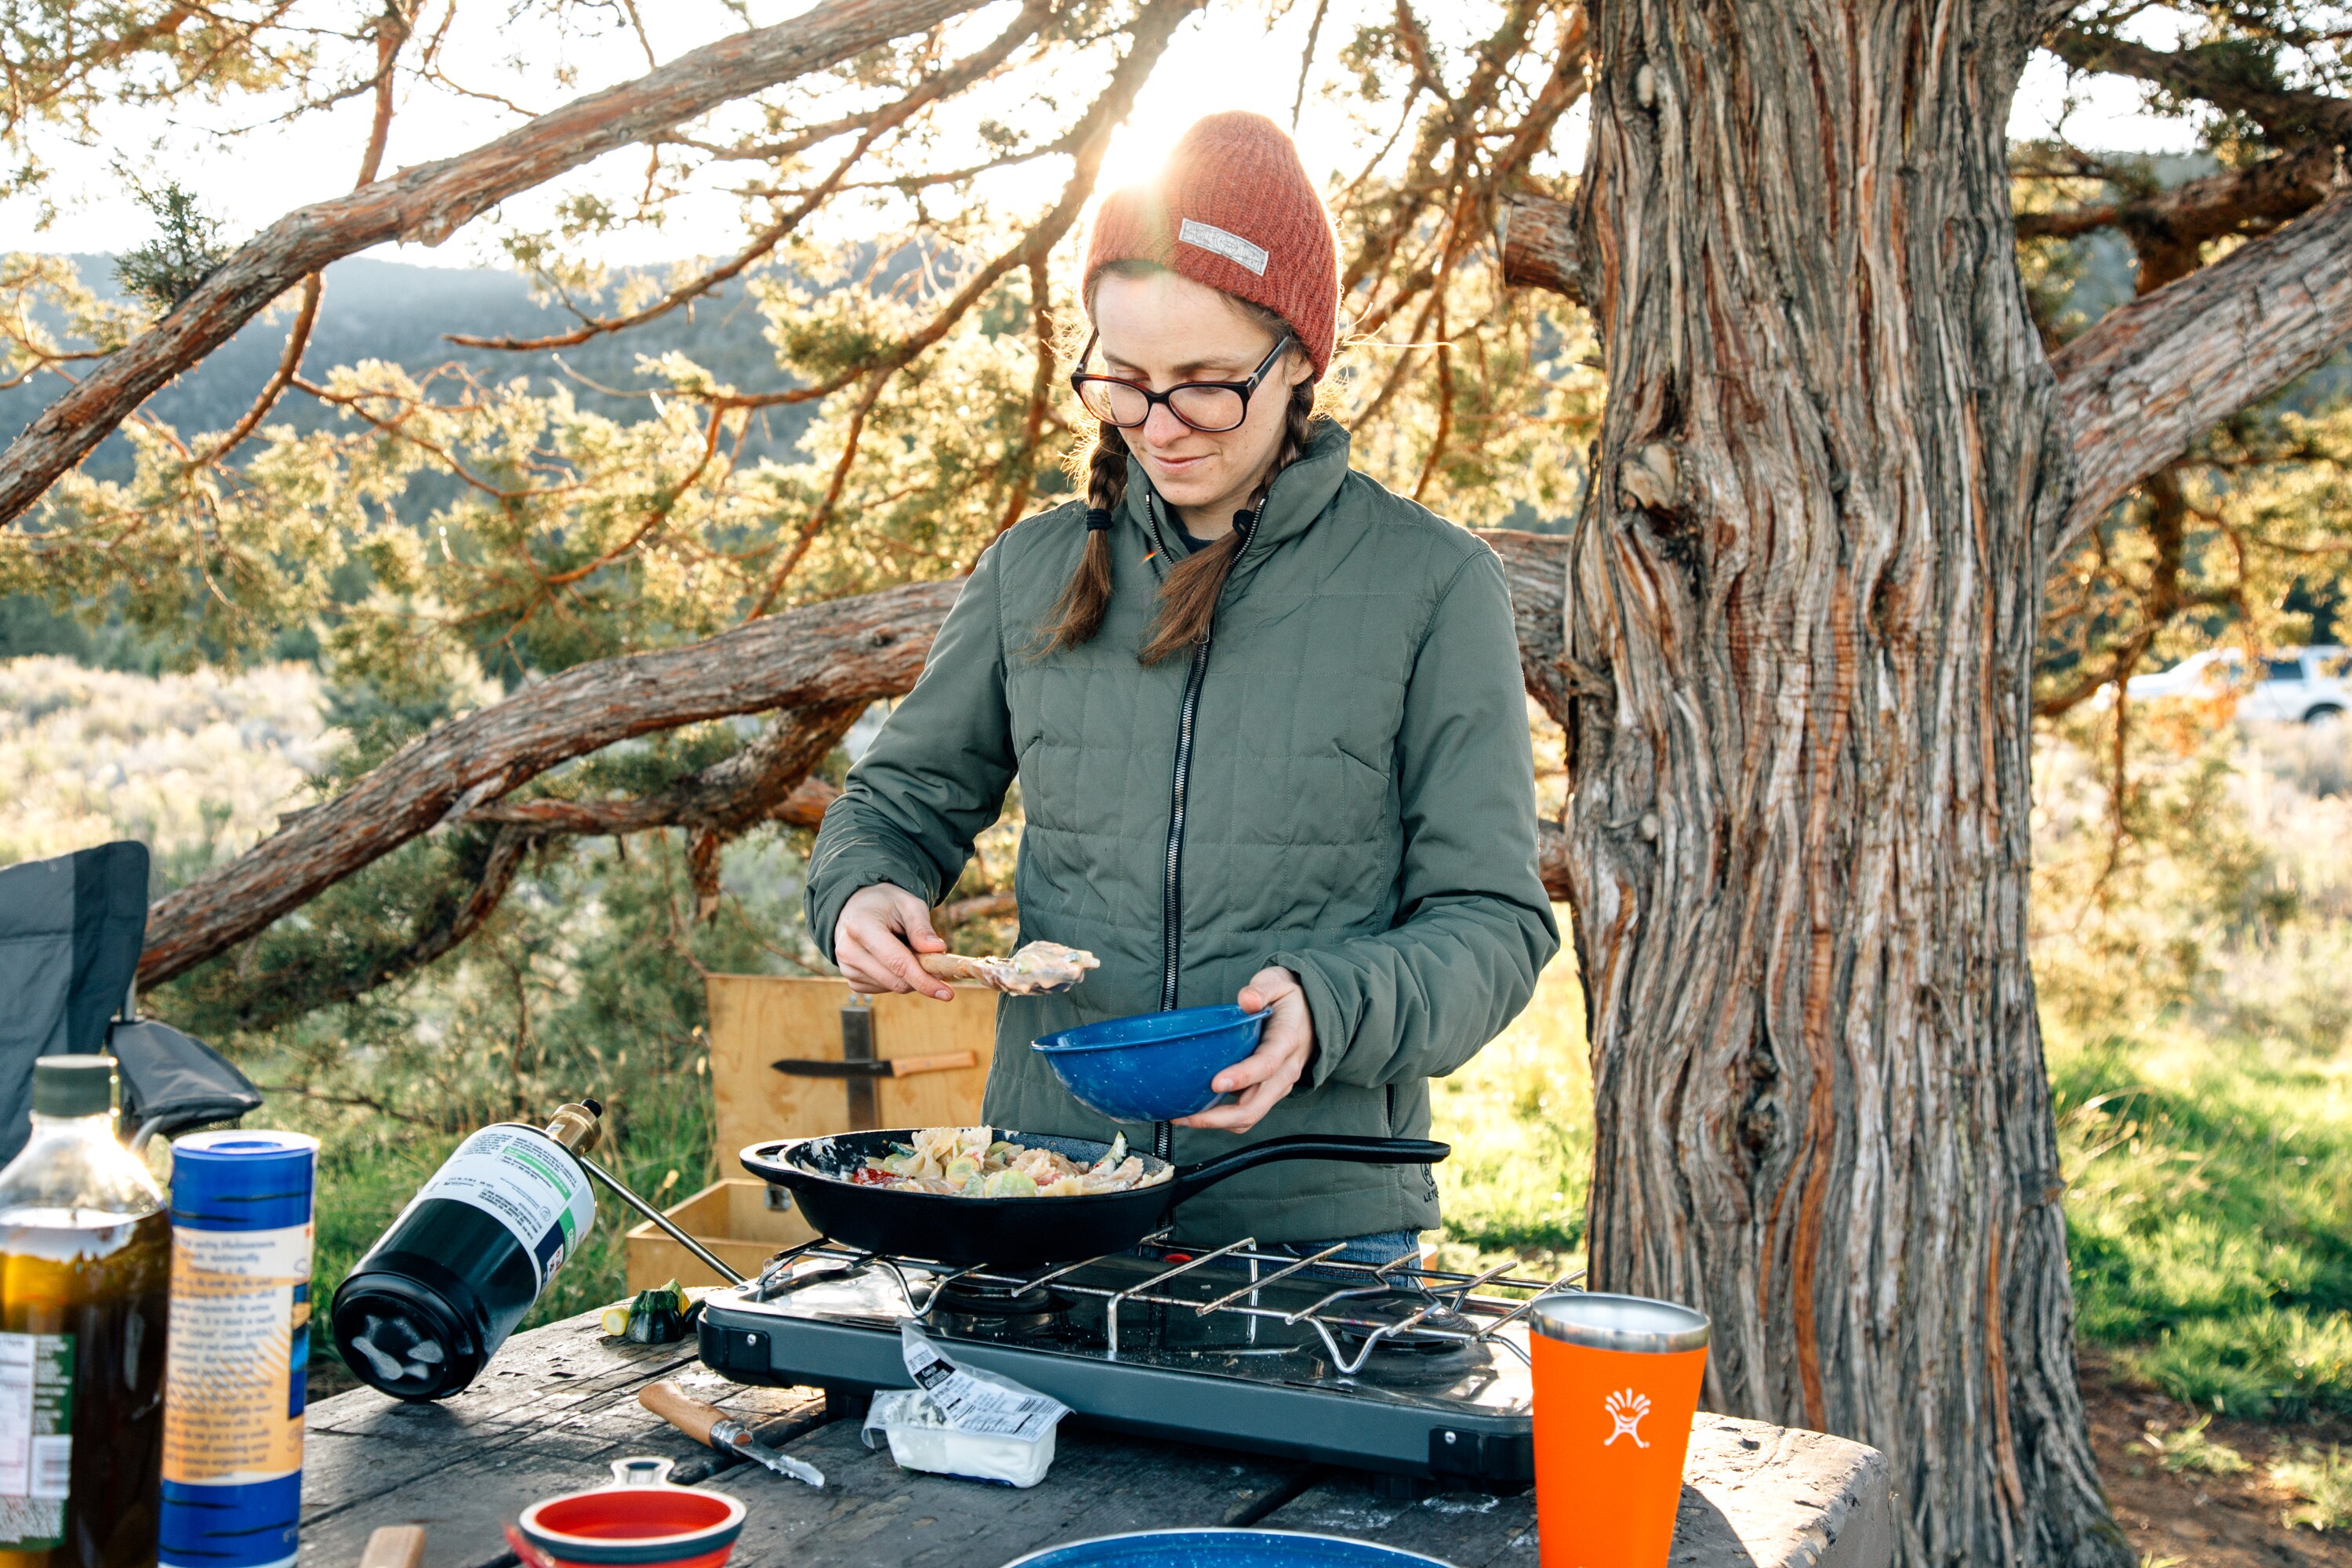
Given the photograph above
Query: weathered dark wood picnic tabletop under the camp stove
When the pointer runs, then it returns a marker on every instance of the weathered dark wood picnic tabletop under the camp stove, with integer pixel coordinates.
(559, 1405)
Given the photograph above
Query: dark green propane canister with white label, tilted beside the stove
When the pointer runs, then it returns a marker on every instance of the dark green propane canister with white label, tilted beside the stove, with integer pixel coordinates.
(434, 1299)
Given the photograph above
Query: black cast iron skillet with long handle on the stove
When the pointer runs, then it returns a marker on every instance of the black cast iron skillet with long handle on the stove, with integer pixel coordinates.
(1020, 1233)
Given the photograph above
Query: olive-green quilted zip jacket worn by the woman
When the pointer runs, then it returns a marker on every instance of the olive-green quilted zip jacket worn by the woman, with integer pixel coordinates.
(1361, 810)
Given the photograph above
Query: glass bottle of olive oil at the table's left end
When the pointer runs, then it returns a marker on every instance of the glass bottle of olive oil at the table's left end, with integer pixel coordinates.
(86, 1266)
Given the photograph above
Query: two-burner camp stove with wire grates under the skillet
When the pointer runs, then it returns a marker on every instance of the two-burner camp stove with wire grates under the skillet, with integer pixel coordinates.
(1379, 1367)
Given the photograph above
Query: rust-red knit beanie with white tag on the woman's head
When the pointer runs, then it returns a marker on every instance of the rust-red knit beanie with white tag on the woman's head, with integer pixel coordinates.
(1236, 210)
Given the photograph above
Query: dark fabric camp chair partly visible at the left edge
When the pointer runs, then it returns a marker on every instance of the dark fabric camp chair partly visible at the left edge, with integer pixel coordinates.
(69, 949)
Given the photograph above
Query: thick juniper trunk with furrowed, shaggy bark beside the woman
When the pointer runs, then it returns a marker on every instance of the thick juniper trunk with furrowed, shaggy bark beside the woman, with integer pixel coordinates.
(1800, 617)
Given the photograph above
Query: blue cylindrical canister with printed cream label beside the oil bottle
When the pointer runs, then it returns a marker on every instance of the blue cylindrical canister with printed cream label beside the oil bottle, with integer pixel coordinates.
(241, 1348)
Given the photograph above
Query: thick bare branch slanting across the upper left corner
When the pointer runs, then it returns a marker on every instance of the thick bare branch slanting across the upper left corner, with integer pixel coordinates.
(434, 201)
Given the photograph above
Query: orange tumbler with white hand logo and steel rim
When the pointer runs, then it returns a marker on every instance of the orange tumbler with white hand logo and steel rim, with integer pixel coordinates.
(1617, 1386)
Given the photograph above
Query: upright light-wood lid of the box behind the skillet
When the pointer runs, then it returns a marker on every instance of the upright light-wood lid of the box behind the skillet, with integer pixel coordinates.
(756, 1021)
